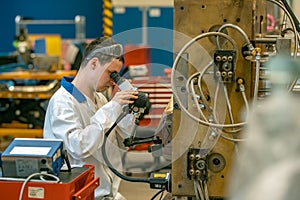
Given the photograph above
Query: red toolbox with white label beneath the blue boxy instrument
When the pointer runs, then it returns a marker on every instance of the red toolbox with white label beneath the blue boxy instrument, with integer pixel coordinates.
(80, 183)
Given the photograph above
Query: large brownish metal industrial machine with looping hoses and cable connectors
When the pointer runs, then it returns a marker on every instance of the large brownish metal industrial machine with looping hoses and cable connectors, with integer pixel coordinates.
(220, 73)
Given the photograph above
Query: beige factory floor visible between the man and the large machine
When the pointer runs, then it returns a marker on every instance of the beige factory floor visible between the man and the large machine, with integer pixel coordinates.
(140, 164)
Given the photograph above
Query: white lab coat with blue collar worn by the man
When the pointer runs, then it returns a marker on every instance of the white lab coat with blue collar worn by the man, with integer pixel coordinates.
(81, 124)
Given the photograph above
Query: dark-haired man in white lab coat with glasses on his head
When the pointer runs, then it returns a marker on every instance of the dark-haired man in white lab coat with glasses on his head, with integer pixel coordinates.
(80, 114)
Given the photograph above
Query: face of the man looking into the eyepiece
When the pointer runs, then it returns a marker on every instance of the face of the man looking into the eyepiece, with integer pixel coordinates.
(105, 81)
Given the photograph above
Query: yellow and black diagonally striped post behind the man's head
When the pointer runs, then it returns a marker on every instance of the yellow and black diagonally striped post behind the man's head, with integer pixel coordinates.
(107, 18)
